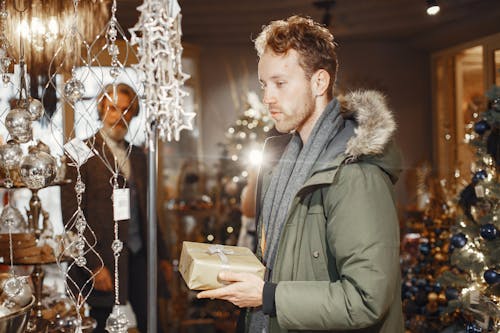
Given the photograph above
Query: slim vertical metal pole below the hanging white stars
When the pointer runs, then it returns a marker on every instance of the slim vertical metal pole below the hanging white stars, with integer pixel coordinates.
(151, 237)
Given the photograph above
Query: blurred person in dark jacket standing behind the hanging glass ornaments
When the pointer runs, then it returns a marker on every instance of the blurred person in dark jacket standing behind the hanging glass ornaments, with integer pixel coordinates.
(114, 155)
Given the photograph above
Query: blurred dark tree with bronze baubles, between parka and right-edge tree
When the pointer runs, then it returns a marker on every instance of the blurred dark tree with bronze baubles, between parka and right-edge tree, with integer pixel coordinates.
(424, 254)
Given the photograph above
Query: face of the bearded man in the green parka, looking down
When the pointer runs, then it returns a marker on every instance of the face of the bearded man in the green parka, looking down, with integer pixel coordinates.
(287, 91)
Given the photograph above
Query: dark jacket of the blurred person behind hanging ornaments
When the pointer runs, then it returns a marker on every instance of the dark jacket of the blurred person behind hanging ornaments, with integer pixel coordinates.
(97, 206)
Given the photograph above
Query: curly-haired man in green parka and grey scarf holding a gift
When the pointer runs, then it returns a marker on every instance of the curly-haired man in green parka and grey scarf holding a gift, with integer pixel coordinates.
(327, 224)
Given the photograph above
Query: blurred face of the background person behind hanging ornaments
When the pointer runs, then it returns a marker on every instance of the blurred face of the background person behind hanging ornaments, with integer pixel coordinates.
(116, 116)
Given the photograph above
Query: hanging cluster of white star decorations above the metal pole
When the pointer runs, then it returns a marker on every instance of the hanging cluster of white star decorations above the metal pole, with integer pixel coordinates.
(158, 38)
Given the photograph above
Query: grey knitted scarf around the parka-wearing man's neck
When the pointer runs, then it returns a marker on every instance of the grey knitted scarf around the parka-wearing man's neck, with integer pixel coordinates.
(328, 139)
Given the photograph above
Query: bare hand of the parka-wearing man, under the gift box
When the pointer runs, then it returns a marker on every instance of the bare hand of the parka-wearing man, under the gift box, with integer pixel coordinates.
(244, 290)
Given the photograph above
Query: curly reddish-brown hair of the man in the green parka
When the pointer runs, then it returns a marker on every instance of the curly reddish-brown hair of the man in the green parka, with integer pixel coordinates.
(314, 43)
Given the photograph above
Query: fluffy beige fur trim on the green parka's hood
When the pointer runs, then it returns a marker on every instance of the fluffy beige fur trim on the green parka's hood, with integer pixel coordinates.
(376, 125)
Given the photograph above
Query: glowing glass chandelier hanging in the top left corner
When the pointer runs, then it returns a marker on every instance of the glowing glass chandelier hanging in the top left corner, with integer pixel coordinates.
(40, 26)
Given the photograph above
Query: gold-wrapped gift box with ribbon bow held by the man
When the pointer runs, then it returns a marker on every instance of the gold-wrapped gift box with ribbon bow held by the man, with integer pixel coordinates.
(200, 263)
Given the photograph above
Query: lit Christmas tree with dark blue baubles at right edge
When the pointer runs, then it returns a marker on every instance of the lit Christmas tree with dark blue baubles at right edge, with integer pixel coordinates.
(472, 285)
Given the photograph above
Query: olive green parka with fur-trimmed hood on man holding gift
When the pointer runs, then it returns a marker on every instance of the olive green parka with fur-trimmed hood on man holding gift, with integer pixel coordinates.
(337, 264)
